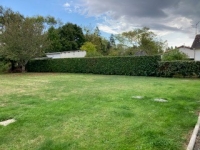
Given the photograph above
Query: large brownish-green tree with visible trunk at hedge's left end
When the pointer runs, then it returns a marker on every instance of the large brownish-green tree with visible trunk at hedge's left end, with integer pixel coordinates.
(23, 38)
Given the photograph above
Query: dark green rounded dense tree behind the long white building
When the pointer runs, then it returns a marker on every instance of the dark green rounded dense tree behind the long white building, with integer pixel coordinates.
(71, 37)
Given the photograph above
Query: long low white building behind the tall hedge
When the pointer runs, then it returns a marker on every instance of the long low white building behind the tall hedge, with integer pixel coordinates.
(66, 54)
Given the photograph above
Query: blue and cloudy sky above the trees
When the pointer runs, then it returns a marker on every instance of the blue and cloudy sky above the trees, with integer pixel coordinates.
(172, 20)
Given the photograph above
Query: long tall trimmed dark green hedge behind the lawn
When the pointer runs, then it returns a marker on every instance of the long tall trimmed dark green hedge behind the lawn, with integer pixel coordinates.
(136, 66)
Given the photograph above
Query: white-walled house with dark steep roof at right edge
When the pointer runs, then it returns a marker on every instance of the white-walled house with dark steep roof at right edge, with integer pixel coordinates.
(196, 47)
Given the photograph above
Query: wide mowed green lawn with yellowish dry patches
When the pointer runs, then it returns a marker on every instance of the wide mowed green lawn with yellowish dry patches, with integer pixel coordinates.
(96, 112)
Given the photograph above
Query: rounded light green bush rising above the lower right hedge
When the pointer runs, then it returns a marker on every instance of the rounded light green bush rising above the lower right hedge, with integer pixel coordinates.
(174, 54)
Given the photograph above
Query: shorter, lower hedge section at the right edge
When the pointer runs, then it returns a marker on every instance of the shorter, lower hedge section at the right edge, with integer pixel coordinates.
(179, 69)
